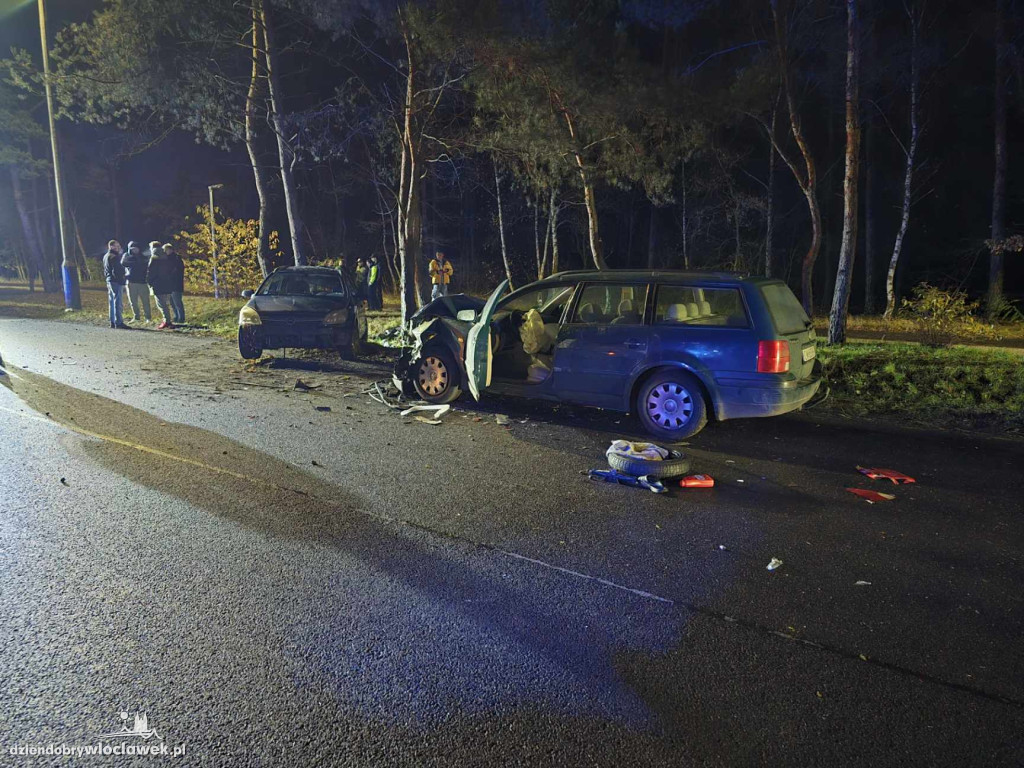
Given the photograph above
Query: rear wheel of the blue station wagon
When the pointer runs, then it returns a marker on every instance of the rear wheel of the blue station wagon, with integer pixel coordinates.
(671, 406)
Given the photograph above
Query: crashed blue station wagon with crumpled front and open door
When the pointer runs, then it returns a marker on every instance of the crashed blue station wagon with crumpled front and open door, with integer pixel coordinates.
(676, 349)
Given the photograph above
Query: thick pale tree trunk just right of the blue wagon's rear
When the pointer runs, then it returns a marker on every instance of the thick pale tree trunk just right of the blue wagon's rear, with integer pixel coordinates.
(848, 251)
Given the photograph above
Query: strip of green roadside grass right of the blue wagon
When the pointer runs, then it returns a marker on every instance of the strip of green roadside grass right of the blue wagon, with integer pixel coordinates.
(942, 387)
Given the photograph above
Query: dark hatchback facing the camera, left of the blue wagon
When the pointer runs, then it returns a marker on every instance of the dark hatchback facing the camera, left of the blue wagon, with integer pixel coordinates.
(303, 308)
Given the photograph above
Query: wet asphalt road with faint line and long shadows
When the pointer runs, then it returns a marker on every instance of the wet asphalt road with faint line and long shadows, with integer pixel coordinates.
(278, 577)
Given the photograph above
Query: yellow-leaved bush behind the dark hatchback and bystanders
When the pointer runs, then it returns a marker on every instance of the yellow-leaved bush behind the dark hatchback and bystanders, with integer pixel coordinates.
(237, 263)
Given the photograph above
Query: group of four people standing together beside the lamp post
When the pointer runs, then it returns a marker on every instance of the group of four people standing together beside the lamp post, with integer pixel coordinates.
(159, 272)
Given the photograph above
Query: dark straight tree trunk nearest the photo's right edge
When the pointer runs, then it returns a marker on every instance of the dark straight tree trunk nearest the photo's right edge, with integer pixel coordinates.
(999, 231)
